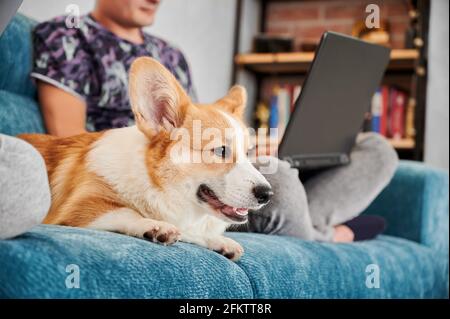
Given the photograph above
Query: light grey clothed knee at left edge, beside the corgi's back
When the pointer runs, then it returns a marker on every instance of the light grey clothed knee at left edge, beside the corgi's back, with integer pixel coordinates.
(25, 193)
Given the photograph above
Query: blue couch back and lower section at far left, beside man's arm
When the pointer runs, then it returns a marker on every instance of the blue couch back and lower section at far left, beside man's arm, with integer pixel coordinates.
(19, 111)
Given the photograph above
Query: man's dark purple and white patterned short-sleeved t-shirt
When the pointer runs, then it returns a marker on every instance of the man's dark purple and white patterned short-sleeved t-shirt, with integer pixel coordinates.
(92, 63)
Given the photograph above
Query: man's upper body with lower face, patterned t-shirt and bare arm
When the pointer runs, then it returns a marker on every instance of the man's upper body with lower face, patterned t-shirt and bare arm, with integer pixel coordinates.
(82, 71)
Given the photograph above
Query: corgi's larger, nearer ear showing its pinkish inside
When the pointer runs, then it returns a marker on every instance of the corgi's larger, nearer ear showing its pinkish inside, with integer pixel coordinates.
(157, 99)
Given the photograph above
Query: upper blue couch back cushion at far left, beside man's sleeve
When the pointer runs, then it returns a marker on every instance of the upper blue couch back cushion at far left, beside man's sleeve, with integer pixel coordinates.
(16, 52)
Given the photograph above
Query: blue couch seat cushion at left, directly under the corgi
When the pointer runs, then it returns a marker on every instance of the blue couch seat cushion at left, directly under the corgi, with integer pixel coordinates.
(113, 266)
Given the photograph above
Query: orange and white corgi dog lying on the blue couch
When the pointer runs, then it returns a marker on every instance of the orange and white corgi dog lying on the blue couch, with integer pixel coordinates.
(129, 180)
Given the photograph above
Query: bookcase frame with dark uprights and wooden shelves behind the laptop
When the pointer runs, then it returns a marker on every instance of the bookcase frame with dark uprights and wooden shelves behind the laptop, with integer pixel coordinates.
(407, 70)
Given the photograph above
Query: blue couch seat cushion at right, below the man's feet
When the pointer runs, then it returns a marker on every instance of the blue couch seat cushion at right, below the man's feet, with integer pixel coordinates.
(286, 267)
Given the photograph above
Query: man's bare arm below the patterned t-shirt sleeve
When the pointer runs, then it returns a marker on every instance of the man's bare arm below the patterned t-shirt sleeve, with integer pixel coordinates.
(64, 114)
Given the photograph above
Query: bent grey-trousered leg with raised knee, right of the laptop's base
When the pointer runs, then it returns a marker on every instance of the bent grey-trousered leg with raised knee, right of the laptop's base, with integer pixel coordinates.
(339, 194)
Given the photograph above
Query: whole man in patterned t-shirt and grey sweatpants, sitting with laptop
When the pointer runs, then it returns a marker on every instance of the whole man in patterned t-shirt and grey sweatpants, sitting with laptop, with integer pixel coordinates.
(81, 77)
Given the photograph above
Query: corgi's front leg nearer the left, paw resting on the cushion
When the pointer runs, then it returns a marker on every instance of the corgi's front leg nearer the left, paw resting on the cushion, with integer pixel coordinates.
(129, 222)
